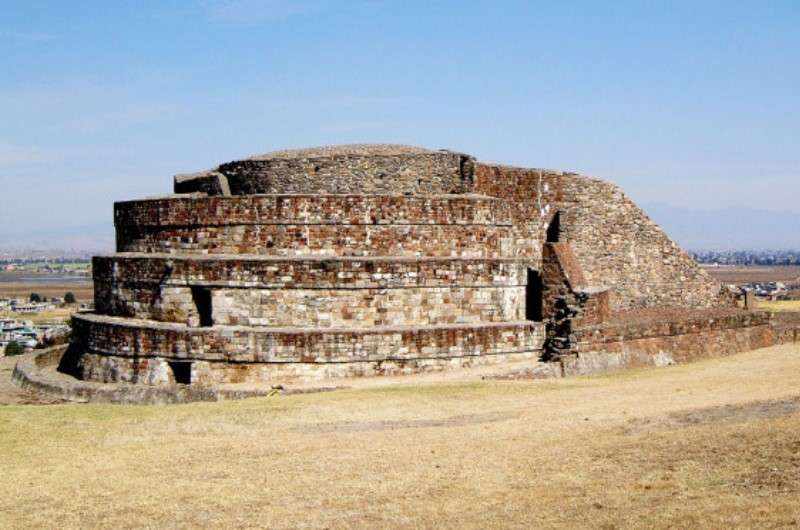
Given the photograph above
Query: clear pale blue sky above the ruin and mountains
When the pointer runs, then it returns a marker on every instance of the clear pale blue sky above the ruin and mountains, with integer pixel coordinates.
(692, 104)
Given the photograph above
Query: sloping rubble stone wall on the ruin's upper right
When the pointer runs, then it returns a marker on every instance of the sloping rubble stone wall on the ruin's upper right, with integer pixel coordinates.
(617, 245)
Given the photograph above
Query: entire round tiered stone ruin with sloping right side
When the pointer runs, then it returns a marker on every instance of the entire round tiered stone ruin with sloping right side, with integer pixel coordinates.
(381, 259)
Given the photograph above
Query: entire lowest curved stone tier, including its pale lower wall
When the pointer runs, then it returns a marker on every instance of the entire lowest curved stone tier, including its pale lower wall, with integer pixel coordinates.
(130, 350)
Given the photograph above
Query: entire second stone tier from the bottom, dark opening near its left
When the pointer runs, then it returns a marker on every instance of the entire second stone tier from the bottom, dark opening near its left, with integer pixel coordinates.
(352, 292)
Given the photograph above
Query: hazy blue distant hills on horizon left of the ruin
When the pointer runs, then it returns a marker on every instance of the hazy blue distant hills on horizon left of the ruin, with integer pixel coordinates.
(91, 238)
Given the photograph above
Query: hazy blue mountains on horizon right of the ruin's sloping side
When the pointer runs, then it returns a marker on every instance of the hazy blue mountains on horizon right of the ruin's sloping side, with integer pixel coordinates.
(728, 228)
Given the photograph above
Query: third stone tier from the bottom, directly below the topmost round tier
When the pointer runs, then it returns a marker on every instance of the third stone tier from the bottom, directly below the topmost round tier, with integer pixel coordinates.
(346, 225)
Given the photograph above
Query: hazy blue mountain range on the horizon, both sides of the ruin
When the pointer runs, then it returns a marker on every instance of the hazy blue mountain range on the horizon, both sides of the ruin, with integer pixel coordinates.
(724, 229)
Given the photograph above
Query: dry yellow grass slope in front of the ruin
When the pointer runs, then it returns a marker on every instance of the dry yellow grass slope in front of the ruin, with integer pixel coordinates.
(713, 444)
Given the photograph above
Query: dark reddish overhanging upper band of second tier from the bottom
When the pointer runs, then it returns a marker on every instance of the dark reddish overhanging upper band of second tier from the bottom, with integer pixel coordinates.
(269, 272)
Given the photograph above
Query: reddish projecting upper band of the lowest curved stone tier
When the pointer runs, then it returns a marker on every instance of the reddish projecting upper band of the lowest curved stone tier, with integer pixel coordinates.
(141, 338)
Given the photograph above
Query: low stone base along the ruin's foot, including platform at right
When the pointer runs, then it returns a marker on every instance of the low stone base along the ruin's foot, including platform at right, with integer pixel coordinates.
(629, 340)
